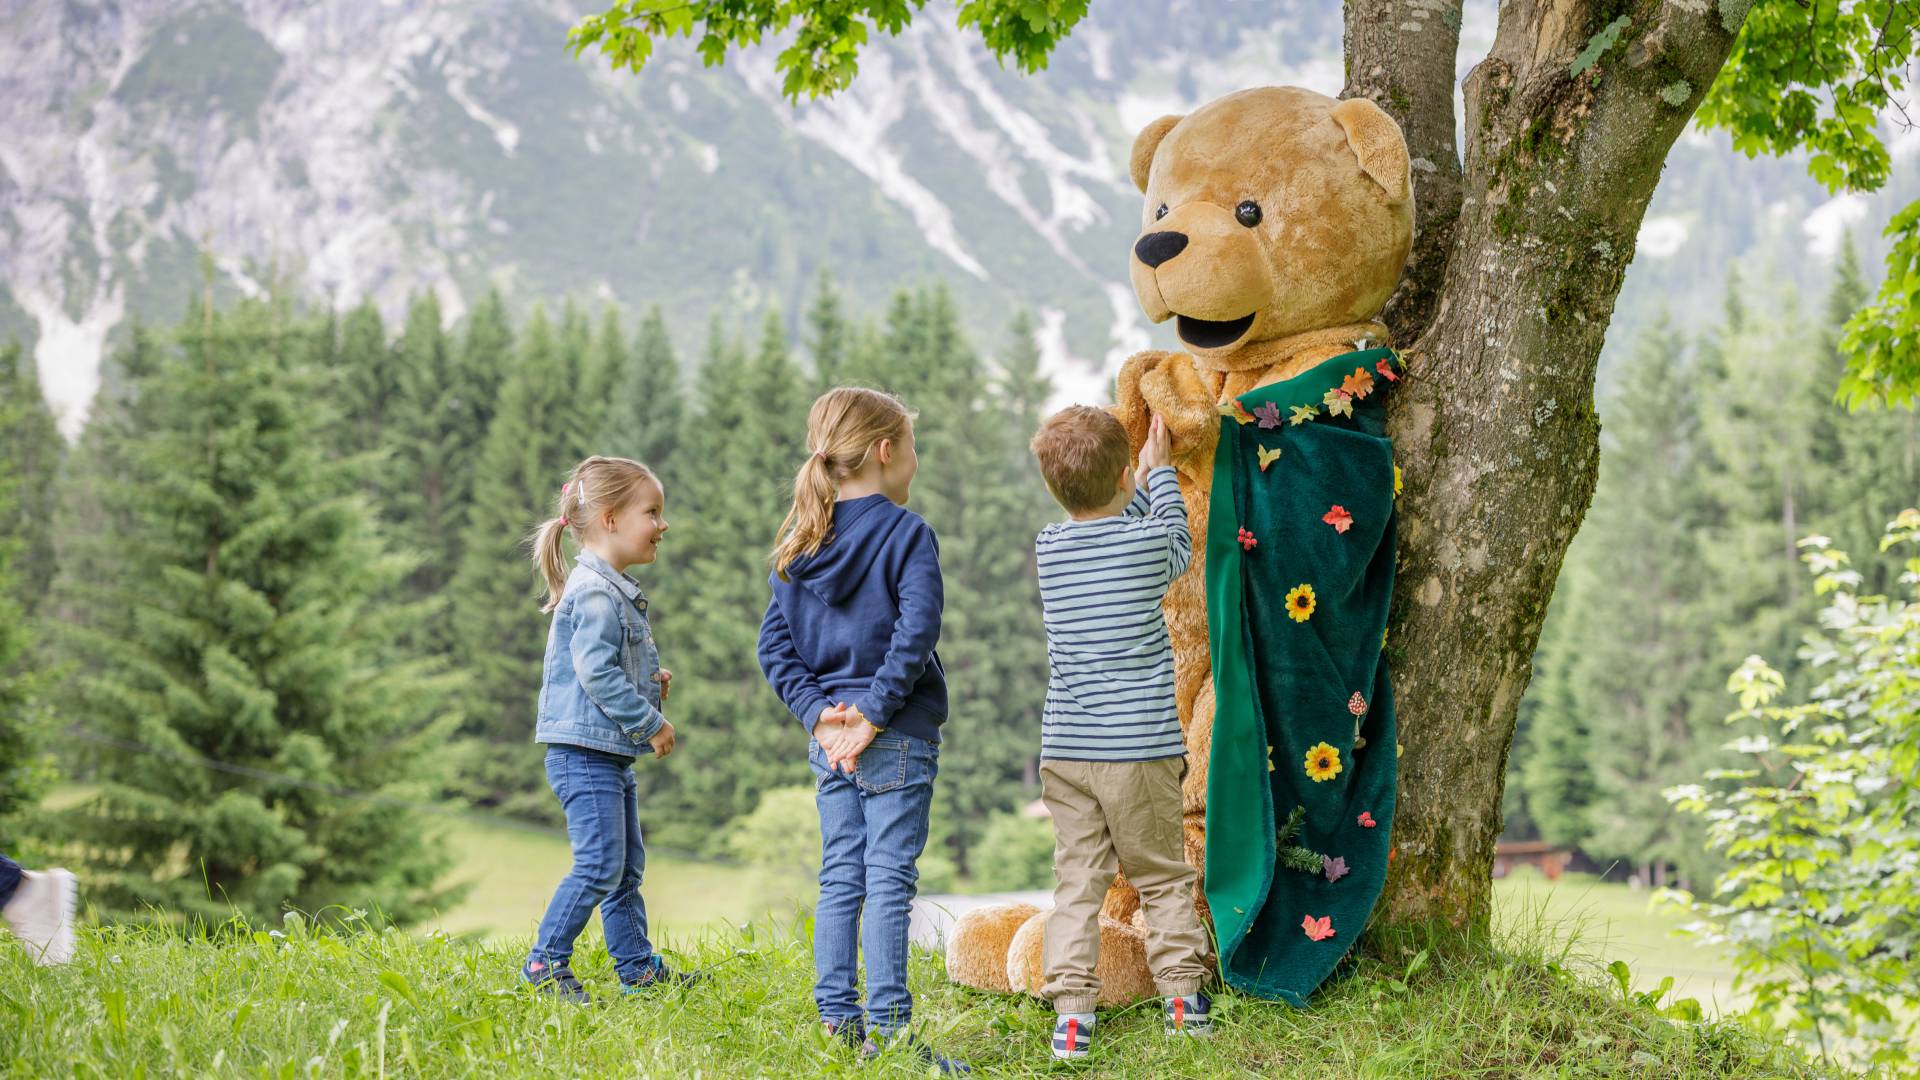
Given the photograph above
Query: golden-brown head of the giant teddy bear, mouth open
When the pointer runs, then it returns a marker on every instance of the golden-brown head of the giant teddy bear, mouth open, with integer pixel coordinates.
(1270, 214)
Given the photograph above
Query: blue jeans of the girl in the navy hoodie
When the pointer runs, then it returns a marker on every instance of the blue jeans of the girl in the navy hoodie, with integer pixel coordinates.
(873, 829)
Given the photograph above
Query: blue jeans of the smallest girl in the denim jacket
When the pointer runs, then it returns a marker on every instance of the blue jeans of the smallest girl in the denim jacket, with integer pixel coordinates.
(604, 825)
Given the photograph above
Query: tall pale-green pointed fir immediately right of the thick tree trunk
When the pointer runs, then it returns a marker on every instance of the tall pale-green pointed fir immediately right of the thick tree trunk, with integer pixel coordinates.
(1618, 722)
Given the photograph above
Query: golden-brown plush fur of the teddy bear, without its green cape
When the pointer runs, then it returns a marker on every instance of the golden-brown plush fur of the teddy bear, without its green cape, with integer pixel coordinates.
(1274, 232)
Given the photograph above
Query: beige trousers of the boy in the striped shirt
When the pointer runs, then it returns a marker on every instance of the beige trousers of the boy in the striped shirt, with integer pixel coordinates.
(1118, 816)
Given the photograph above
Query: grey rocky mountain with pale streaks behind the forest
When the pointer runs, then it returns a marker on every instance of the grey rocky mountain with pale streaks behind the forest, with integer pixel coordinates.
(356, 149)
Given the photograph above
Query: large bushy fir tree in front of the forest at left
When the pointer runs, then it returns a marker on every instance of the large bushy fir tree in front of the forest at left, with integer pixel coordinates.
(243, 672)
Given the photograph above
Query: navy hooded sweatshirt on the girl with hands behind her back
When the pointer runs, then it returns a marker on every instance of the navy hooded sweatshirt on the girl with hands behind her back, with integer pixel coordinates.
(857, 624)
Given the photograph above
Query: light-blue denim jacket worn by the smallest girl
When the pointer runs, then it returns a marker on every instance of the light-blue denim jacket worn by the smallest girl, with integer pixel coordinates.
(598, 689)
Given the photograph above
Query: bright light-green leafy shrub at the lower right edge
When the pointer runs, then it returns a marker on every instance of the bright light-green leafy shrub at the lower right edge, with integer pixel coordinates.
(1821, 902)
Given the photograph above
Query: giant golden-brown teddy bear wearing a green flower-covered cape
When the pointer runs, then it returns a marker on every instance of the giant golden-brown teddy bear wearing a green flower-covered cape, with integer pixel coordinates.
(1276, 228)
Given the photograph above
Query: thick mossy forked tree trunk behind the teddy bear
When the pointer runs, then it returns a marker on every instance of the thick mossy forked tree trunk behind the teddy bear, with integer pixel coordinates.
(1512, 283)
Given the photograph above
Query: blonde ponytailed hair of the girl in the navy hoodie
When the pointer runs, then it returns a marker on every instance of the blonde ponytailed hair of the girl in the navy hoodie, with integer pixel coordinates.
(842, 431)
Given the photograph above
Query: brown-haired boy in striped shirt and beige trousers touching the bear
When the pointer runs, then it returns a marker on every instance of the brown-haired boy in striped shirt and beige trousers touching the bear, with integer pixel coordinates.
(1111, 739)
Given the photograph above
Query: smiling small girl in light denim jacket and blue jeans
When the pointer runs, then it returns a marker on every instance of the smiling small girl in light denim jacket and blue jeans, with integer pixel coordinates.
(600, 706)
